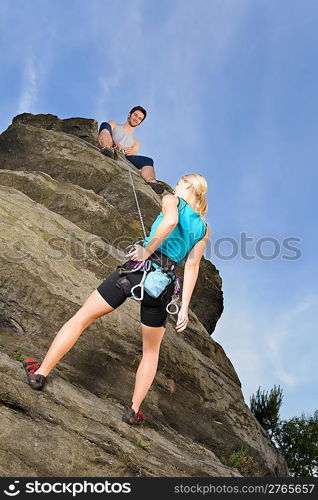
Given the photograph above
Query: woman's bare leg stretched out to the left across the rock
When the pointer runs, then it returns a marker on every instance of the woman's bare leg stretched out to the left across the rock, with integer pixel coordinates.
(94, 307)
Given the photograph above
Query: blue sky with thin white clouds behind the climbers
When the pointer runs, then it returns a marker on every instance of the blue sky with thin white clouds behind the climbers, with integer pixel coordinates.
(230, 87)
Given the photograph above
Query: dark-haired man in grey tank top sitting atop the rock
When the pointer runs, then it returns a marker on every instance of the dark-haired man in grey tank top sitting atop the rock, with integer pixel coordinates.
(121, 138)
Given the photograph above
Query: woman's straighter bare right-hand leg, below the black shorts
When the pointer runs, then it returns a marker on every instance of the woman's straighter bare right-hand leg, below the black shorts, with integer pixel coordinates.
(151, 341)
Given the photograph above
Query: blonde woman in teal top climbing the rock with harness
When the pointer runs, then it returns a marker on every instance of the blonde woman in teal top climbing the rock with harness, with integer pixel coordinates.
(180, 231)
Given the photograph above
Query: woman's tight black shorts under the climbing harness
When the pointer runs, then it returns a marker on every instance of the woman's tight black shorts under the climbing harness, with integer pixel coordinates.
(152, 310)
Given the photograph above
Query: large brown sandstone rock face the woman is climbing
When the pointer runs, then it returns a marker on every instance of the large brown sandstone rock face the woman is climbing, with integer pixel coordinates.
(66, 214)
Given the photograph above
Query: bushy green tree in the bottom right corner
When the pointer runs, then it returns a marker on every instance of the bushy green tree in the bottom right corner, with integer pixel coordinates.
(297, 439)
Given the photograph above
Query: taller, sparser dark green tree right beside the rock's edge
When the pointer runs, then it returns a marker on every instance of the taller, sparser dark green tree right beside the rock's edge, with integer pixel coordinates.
(265, 407)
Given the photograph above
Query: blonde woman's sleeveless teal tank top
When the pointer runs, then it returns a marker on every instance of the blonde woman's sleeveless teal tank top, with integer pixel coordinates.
(189, 230)
